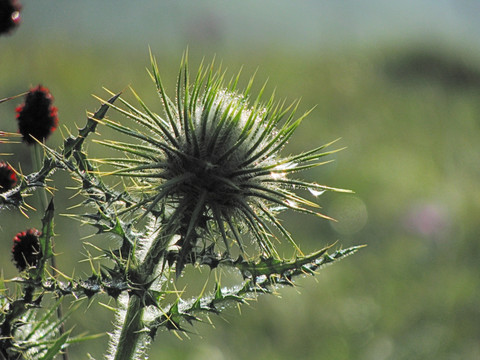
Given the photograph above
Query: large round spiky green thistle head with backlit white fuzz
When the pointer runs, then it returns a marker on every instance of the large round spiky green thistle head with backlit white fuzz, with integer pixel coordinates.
(213, 163)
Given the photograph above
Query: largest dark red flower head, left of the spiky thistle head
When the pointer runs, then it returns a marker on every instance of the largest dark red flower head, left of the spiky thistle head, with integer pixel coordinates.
(37, 117)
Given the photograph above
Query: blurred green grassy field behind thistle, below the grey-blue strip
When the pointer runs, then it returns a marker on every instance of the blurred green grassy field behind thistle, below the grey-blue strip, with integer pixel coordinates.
(413, 160)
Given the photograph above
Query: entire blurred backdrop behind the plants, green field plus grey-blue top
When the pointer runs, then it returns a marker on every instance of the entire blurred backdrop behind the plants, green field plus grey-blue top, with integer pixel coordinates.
(399, 82)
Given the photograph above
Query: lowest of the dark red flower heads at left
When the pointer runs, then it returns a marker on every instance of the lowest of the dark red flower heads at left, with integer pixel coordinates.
(26, 249)
